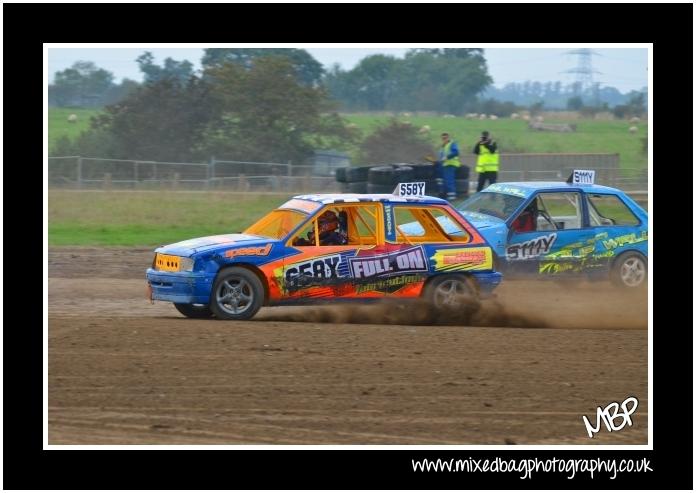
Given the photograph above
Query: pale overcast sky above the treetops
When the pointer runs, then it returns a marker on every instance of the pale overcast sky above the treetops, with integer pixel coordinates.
(623, 68)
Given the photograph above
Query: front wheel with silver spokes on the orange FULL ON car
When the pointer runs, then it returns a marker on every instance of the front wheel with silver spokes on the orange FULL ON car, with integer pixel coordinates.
(237, 294)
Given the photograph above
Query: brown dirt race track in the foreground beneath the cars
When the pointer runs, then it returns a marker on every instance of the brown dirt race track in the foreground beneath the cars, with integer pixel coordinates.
(122, 371)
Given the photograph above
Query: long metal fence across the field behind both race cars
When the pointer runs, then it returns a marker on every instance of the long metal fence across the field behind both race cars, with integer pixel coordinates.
(85, 173)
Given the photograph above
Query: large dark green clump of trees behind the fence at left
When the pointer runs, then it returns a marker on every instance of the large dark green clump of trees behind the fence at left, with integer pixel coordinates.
(263, 109)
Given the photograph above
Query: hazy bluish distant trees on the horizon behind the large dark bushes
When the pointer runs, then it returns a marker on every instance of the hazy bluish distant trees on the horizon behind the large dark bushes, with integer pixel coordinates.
(450, 80)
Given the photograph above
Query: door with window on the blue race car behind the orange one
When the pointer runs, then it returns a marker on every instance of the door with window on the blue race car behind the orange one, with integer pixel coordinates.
(557, 242)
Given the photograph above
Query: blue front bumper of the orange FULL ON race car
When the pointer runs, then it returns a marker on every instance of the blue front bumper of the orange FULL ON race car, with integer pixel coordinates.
(179, 287)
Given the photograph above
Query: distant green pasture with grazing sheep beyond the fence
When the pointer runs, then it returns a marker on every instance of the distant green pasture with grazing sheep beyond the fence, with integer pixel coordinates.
(512, 135)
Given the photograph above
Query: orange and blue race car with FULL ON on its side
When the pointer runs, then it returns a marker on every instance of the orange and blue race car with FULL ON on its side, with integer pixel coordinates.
(330, 248)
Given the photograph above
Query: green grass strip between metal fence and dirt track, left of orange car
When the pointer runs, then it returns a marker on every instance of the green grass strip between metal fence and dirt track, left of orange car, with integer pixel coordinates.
(149, 218)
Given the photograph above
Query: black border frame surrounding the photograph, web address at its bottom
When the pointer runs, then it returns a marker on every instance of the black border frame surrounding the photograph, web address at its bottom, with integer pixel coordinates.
(27, 466)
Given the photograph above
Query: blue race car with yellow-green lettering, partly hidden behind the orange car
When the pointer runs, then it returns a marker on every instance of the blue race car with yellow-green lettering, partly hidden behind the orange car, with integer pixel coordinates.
(561, 230)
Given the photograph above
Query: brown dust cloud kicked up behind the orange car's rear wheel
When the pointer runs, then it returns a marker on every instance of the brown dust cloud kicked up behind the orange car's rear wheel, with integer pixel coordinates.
(517, 304)
